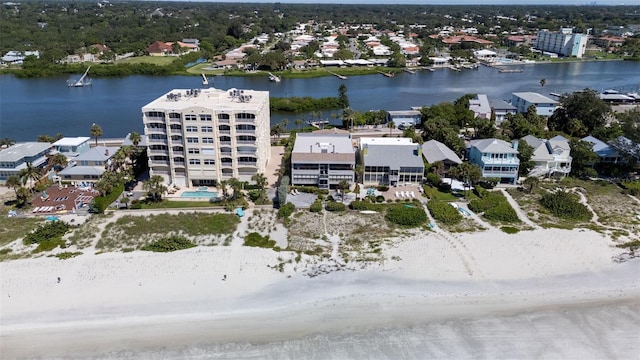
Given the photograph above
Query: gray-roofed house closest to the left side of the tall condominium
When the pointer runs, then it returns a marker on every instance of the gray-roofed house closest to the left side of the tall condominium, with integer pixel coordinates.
(89, 165)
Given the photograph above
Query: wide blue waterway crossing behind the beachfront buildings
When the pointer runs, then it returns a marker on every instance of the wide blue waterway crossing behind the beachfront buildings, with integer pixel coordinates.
(30, 107)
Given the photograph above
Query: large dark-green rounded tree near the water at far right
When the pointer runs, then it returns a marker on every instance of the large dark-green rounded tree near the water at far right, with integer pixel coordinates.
(579, 113)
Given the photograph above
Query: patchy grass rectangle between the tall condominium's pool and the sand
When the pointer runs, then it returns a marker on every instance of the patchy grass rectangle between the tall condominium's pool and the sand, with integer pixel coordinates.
(136, 231)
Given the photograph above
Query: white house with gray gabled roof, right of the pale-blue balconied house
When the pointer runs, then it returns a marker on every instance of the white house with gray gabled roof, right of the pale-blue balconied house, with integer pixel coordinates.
(552, 157)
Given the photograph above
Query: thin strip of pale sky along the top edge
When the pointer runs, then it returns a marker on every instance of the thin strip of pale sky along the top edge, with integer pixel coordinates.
(441, 2)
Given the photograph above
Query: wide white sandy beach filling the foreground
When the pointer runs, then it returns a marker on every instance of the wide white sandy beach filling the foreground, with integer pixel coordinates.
(544, 293)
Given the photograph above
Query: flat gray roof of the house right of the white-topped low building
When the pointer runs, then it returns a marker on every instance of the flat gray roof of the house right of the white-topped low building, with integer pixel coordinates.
(393, 156)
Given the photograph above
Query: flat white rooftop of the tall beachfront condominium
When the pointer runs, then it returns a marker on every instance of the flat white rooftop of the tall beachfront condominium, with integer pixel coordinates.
(211, 98)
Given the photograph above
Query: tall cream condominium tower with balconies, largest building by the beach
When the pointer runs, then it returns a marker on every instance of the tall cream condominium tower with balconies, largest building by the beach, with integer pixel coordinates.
(201, 137)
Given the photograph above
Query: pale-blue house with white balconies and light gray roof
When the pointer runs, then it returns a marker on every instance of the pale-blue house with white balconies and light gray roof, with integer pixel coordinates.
(497, 159)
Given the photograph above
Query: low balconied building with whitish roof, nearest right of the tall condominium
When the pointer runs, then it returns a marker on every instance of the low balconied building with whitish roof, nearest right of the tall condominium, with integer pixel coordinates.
(322, 159)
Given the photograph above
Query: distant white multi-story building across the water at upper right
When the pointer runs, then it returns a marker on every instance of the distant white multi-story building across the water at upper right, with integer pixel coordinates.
(563, 42)
